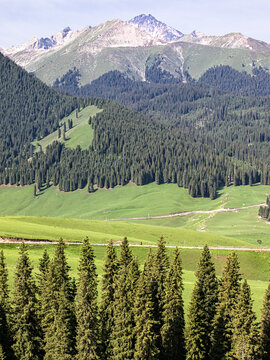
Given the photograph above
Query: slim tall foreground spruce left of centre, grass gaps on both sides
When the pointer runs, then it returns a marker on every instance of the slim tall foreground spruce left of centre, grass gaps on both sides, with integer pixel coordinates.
(86, 306)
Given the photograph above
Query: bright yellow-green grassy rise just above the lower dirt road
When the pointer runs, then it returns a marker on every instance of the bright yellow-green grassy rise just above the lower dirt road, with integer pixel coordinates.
(101, 232)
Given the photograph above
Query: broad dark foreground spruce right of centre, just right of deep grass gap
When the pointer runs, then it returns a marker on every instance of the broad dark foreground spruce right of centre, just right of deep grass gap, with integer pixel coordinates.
(202, 309)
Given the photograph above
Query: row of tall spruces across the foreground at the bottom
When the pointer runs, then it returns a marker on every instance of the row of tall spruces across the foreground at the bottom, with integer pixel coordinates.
(139, 314)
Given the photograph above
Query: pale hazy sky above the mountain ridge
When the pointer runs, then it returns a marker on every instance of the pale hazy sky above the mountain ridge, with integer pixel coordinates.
(21, 20)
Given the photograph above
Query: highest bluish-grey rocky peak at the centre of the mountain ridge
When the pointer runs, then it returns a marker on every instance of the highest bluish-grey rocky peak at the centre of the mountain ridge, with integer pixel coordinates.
(156, 28)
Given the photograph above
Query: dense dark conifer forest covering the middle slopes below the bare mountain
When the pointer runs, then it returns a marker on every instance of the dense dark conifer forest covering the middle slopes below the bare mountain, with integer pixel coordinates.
(189, 134)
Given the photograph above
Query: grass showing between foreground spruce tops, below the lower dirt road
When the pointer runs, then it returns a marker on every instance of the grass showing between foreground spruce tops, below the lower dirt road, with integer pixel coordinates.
(254, 266)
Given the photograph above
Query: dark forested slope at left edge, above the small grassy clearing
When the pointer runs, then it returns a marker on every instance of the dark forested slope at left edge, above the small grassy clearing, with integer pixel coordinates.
(29, 109)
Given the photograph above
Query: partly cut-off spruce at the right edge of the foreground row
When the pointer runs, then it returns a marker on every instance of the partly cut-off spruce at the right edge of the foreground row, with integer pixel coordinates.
(265, 326)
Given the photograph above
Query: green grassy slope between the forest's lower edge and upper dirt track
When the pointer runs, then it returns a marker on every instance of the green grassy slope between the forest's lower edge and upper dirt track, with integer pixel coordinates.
(122, 202)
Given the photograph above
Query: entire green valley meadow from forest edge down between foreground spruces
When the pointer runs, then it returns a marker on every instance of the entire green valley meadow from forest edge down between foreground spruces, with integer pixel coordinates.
(73, 216)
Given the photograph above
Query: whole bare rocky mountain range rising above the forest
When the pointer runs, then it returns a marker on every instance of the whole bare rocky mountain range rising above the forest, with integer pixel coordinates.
(141, 47)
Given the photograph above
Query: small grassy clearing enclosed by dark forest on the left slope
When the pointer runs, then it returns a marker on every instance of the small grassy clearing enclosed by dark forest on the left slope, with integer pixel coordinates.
(80, 134)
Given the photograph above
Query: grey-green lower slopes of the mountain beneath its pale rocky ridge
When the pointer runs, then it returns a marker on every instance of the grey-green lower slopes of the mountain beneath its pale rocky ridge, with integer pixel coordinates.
(194, 58)
